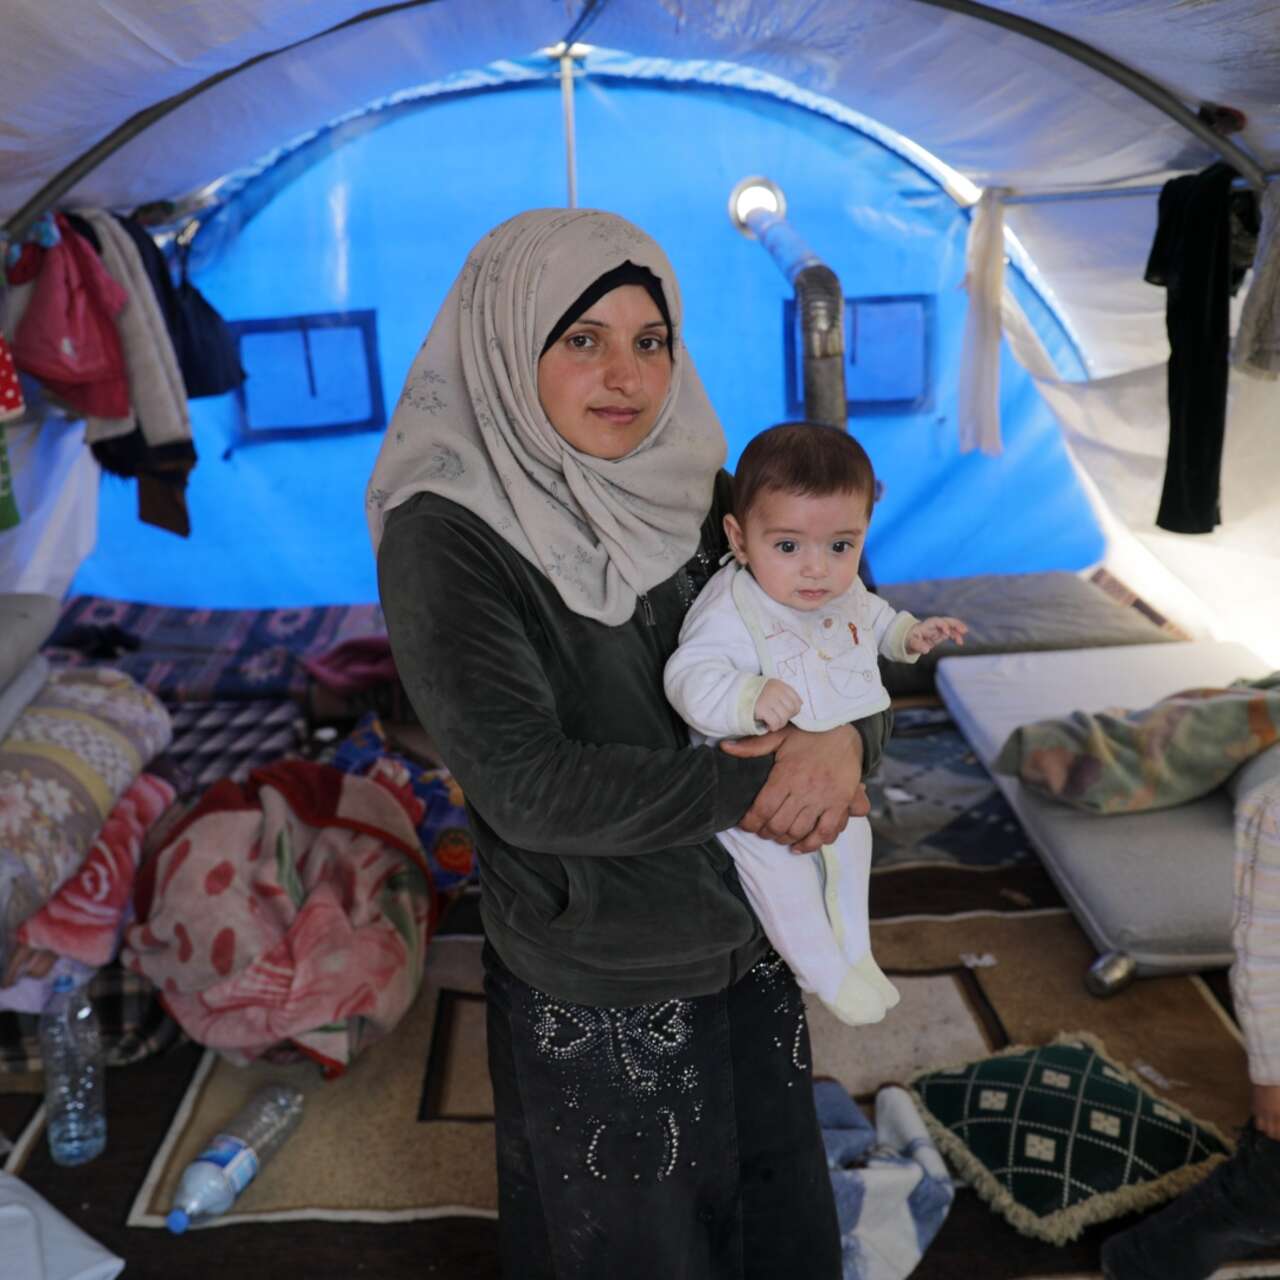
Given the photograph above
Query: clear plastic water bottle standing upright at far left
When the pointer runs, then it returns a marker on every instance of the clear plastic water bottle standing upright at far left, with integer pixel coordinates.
(75, 1086)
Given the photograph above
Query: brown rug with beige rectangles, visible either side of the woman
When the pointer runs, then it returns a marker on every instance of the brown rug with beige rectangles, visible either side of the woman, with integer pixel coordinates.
(408, 1135)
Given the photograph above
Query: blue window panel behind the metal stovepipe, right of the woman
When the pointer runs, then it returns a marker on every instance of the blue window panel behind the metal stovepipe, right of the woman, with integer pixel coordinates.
(889, 355)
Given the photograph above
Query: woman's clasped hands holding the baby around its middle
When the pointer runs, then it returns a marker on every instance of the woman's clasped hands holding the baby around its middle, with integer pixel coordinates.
(813, 789)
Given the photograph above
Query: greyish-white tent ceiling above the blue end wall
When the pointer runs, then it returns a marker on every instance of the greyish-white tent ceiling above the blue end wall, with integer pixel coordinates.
(991, 104)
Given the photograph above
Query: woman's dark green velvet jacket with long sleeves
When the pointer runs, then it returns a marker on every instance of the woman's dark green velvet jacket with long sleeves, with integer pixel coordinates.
(596, 821)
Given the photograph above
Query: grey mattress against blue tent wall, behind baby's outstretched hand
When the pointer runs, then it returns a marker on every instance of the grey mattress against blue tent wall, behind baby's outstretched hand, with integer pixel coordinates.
(1014, 614)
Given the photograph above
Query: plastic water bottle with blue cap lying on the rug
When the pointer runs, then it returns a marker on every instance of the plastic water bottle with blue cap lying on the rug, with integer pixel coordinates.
(231, 1162)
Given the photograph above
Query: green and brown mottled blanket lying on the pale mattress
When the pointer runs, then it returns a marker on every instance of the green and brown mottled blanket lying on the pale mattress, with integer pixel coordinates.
(1128, 761)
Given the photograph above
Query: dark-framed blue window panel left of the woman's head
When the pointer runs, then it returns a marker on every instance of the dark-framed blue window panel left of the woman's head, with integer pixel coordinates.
(310, 376)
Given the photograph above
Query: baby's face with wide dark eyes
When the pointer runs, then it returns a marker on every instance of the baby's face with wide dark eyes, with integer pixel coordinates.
(802, 550)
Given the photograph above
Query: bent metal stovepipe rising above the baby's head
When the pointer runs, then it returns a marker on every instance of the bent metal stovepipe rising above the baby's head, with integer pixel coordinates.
(821, 313)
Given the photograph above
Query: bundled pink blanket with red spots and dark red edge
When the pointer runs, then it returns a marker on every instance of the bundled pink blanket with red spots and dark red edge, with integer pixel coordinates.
(290, 911)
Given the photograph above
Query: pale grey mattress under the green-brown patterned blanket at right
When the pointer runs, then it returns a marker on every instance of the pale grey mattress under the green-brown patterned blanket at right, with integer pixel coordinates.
(1154, 885)
